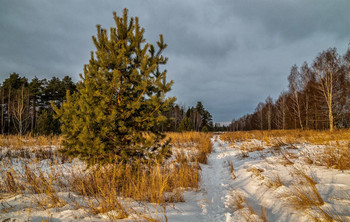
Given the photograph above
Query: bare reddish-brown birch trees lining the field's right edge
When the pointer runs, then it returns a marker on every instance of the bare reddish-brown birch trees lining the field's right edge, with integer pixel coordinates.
(318, 98)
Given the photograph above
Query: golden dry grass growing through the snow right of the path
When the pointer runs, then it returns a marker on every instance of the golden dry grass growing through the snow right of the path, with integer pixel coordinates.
(331, 149)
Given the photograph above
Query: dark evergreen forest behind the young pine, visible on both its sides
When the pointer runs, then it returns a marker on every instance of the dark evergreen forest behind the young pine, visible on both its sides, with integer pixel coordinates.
(26, 108)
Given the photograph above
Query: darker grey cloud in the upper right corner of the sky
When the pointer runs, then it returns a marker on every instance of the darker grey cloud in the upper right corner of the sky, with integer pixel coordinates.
(295, 19)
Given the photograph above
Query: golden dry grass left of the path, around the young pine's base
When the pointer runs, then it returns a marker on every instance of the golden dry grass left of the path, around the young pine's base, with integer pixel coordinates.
(104, 188)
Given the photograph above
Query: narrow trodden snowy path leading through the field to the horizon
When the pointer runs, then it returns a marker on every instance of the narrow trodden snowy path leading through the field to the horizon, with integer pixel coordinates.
(216, 180)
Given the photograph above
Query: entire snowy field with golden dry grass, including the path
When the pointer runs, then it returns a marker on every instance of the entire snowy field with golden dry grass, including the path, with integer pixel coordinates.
(238, 176)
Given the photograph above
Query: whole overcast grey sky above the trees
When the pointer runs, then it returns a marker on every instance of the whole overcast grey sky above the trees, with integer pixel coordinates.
(229, 54)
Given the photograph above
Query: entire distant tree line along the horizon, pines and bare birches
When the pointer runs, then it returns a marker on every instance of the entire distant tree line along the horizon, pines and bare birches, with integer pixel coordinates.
(318, 98)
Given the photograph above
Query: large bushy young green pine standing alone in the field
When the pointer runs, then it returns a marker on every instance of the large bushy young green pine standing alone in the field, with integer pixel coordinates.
(117, 110)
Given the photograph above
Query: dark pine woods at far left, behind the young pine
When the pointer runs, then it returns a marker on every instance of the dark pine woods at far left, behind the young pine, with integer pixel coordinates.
(25, 105)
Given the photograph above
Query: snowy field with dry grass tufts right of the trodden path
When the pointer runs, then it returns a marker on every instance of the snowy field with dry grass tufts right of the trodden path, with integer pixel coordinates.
(288, 175)
